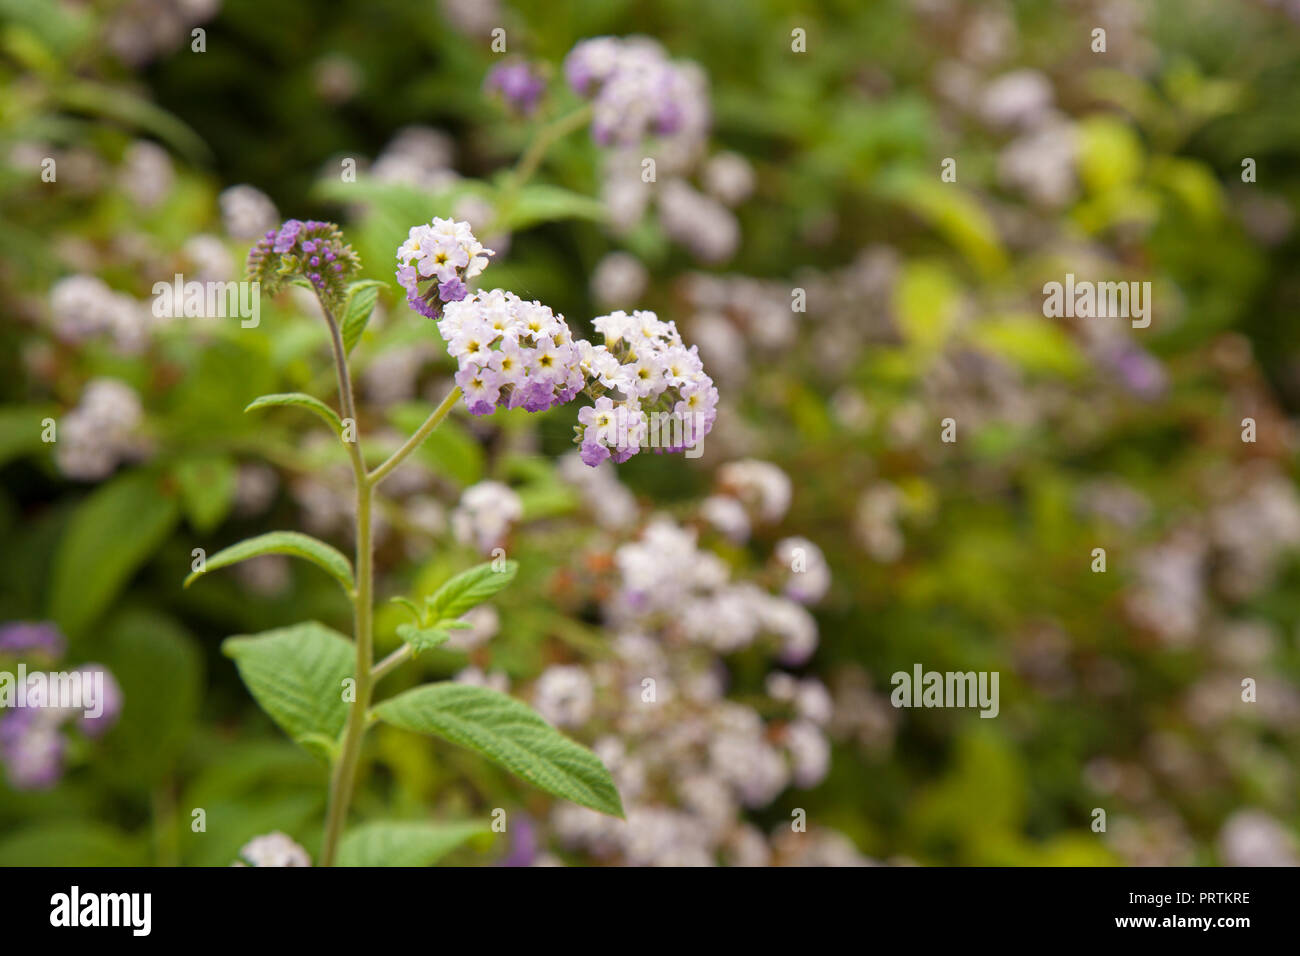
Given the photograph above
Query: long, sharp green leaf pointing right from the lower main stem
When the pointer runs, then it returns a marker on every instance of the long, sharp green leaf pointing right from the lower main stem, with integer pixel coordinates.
(514, 736)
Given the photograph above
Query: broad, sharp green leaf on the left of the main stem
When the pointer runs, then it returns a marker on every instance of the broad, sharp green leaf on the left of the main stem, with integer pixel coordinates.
(297, 676)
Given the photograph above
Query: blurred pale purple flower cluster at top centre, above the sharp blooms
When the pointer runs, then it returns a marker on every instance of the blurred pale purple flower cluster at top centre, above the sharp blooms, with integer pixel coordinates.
(635, 89)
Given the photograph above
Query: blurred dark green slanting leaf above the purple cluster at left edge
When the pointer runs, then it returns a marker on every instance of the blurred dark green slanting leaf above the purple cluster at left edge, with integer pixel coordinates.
(112, 533)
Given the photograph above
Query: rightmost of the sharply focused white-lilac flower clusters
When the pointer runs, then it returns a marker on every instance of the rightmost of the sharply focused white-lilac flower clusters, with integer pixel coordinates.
(666, 399)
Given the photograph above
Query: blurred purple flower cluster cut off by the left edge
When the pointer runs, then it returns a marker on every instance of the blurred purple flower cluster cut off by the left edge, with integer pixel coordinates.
(33, 743)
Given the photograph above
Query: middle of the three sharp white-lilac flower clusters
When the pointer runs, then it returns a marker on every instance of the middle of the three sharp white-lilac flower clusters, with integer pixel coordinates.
(513, 354)
